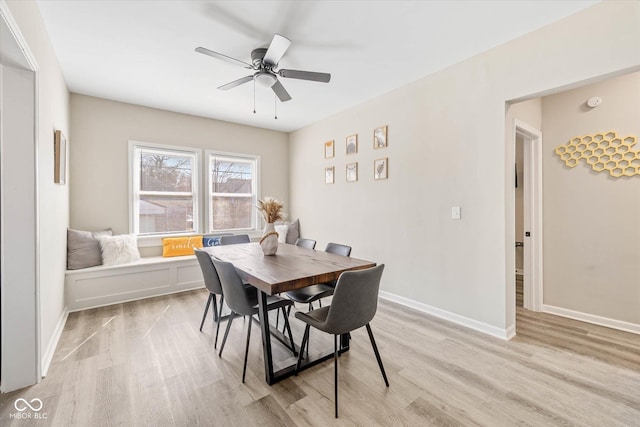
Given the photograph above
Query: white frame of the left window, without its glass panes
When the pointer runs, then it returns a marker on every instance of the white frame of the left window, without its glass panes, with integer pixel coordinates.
(137, 147)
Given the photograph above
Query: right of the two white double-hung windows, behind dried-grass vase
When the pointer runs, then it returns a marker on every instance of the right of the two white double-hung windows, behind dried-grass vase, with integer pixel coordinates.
(232, 192)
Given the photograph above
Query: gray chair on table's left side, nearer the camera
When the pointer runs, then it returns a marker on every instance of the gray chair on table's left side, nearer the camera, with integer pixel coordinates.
(244, 304)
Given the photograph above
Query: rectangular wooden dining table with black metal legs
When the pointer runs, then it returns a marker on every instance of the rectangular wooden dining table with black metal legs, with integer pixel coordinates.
(292, 267)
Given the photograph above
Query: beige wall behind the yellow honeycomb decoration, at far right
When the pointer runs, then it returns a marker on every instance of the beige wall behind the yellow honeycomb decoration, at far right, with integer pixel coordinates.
(591, 226)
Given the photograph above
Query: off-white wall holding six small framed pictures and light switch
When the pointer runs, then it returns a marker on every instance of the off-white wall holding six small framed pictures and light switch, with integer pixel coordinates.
(447, 147)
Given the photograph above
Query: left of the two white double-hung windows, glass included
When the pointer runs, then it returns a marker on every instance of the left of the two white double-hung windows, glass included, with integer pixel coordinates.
(164, 189)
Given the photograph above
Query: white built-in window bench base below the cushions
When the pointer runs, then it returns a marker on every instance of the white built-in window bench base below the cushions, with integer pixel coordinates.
(148, 277)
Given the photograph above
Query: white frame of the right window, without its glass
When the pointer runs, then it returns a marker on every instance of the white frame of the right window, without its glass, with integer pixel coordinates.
(208, 193)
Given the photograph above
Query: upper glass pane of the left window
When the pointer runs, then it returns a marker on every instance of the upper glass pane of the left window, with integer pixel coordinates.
(164, 172)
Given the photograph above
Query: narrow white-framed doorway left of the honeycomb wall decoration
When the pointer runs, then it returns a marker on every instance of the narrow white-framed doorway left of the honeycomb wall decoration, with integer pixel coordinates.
(528, 206)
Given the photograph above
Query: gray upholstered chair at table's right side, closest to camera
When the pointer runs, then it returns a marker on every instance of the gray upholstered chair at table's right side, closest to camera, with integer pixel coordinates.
(354, 304)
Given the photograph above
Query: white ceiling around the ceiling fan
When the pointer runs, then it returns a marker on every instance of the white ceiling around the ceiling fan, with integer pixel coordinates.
(142, 52)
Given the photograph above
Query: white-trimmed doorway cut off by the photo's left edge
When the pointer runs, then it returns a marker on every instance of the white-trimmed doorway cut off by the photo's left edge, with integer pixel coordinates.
(19, 292)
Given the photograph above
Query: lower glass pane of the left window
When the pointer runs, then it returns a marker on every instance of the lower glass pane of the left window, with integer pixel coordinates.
(165, 214)
